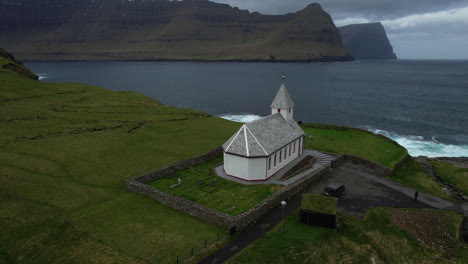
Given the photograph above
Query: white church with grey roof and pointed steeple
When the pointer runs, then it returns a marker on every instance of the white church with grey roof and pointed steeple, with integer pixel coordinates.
(261, 148)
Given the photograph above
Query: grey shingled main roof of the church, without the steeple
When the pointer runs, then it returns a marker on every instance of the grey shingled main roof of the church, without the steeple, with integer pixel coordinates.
(263, 137)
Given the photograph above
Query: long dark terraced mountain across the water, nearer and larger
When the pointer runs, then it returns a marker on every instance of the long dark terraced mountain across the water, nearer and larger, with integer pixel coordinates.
(162, 29)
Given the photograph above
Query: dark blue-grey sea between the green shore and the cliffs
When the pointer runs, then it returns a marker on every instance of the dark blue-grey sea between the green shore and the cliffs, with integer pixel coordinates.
(423, 105)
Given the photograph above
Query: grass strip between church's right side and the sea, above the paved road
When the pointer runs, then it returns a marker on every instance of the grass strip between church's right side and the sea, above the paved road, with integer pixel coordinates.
(336, 139)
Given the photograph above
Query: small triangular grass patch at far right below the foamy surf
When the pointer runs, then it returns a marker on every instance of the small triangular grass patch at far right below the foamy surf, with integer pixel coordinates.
(412, 174)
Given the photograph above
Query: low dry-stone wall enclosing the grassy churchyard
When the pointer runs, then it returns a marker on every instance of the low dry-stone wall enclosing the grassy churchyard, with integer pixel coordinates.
(138, 184)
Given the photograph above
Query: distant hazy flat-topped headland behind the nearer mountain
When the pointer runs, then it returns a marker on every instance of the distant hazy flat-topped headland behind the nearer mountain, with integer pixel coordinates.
(367, 41)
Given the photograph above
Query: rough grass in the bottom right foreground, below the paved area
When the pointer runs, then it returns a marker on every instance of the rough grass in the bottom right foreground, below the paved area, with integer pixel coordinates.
(356, 241)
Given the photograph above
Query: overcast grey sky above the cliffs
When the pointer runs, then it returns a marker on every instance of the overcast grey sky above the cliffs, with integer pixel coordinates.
(418, 29)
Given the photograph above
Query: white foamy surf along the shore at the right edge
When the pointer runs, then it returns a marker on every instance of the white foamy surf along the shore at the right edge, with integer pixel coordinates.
(418, 146)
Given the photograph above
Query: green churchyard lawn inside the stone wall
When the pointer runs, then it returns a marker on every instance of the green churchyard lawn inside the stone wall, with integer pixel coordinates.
(201, 185)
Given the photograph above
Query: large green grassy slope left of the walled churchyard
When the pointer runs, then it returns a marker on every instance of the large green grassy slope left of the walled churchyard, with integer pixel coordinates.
(65, 151)
